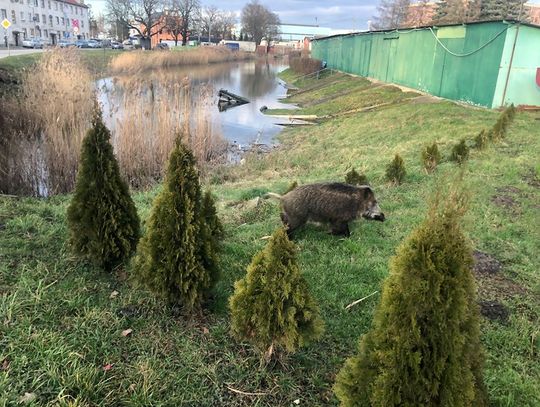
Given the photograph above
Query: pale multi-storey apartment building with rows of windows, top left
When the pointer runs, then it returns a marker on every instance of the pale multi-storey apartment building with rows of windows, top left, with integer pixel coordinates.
(50, 20)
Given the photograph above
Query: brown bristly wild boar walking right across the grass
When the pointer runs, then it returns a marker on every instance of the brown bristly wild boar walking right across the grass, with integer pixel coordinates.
(335, 203)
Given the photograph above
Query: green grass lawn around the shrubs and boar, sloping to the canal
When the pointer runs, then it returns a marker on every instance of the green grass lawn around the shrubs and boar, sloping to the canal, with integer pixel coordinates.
(61, 320)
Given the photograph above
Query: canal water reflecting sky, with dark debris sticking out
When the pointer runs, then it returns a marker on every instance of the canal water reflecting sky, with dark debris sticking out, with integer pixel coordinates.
(244, 125)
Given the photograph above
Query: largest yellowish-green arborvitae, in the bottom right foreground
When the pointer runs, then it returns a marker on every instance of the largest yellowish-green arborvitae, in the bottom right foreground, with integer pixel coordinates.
(424, 345)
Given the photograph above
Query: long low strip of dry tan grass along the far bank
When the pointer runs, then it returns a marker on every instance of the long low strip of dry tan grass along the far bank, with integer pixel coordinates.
(141, 61)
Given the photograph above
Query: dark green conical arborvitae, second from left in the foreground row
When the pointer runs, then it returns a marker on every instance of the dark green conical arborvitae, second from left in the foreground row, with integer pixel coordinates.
(174, 258)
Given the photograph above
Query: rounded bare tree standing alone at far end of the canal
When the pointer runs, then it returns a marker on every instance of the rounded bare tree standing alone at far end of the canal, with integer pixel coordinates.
(259, 22)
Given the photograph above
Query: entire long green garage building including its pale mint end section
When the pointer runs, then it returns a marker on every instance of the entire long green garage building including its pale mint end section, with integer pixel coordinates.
(490, 64)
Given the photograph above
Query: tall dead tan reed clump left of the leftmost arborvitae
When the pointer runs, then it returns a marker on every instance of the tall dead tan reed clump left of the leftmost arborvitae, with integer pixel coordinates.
(58, 93)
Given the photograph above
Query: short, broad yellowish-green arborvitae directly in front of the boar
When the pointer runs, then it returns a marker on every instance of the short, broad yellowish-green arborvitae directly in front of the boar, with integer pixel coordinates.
(271, 307)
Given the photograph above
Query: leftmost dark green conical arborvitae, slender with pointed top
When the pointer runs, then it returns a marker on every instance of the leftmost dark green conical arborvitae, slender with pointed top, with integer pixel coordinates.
(102, 219)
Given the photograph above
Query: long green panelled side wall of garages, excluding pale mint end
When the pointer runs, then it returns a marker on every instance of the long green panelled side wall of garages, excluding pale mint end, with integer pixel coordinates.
(454, 62)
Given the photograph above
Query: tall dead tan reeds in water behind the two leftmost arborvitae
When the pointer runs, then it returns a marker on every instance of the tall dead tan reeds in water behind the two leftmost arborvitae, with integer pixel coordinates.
(147, 114)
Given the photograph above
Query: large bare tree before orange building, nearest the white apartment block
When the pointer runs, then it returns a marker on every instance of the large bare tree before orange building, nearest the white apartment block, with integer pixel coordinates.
(140, 15)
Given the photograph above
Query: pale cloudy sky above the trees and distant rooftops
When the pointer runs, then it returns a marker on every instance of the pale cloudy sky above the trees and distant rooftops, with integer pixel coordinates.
(344, 14)
